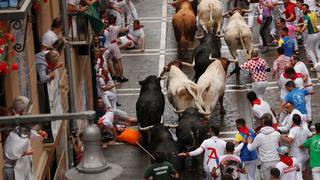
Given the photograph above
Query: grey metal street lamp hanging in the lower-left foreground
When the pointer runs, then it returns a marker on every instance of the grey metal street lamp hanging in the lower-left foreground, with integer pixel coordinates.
(94, 165)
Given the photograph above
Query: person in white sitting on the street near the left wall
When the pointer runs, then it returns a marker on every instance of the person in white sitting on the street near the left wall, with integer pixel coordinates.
(135, 37)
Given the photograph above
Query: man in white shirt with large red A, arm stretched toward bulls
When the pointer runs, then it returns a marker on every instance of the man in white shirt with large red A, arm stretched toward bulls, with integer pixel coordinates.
(213, 148)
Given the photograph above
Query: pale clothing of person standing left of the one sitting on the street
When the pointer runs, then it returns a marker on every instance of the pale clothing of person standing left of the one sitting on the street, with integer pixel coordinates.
(111, 34)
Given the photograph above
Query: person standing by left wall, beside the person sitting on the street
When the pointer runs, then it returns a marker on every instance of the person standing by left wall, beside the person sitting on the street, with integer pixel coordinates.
(111, 34)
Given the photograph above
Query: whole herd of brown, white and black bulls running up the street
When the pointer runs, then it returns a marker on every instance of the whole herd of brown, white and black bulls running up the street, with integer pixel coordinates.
(195, 99)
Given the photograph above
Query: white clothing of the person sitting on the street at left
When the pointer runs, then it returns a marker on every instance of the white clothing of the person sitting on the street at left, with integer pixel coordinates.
(134, 36)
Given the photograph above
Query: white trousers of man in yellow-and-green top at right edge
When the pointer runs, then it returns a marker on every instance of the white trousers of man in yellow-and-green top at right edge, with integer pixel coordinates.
(312, 47)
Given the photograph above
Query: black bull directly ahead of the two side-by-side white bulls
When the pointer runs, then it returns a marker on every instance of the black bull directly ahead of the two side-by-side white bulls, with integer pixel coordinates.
(210, 44)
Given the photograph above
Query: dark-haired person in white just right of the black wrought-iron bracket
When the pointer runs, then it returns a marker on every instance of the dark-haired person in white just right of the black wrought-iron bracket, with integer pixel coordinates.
(51, 36)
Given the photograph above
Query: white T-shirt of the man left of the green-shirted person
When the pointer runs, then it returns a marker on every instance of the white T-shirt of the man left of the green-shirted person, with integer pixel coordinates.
(299, 135)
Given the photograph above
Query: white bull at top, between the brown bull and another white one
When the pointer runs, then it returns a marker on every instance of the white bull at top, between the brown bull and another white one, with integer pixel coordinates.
(210, 15)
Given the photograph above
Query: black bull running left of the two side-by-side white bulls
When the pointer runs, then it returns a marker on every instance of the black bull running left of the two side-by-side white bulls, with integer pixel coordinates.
(150, 105)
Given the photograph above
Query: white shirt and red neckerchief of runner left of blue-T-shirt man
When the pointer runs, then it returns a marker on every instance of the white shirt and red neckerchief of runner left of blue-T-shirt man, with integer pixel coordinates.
(259, 108)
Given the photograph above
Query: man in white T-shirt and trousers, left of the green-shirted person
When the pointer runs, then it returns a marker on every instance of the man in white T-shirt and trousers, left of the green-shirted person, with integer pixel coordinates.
(297, 135)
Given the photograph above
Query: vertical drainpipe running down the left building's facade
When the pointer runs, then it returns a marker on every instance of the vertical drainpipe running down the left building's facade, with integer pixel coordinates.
(67, 57)
